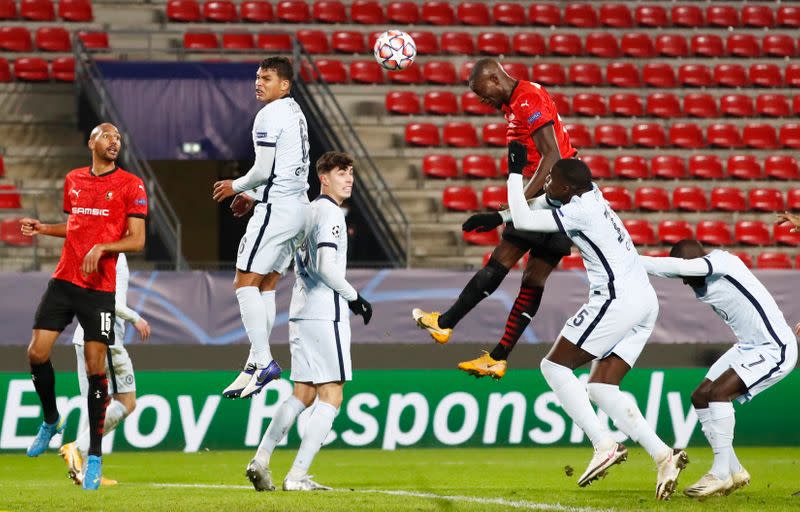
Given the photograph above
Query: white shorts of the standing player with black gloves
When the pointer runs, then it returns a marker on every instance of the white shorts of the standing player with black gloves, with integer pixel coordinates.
(320, 351)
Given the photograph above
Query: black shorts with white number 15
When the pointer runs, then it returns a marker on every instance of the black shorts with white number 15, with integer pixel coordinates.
(62, 301)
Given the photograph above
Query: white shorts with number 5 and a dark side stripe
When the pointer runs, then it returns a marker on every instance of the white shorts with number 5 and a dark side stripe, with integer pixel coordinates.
(621, 325)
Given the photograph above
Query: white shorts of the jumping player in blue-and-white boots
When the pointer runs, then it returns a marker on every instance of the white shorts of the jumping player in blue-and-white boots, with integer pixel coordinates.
(273, 234)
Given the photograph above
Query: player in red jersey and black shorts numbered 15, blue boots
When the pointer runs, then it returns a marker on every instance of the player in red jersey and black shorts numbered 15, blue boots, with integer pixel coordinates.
(106, 207)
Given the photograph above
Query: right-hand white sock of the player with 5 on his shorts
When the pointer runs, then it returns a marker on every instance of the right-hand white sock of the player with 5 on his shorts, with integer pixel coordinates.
(627, 417)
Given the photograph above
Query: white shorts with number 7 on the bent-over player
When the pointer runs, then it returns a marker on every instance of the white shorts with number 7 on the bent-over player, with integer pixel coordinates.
(759, 366)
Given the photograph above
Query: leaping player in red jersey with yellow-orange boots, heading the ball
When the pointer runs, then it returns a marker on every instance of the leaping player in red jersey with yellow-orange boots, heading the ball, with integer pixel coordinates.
(532, 120)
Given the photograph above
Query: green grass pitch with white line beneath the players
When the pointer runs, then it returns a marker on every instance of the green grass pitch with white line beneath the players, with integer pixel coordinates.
(479, 479)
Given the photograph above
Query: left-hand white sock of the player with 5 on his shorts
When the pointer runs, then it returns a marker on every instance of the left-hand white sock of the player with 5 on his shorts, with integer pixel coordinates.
(575, 401)
